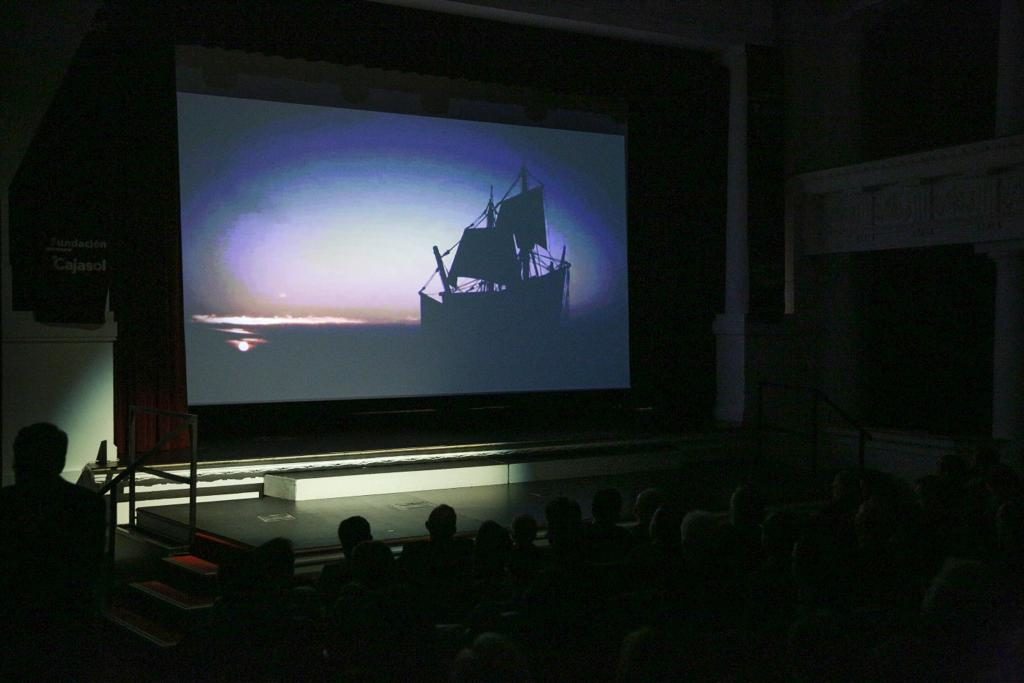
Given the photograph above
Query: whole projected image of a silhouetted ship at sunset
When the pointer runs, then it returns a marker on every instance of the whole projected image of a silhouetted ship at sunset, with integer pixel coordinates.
(333, 254)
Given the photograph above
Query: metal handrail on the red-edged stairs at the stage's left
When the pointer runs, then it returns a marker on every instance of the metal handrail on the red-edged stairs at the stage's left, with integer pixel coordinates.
(137, 463)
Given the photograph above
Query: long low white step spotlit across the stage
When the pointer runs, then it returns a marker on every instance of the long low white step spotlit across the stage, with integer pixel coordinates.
(370, 481)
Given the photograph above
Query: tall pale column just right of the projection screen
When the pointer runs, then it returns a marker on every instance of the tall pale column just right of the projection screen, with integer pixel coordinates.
(731, 327)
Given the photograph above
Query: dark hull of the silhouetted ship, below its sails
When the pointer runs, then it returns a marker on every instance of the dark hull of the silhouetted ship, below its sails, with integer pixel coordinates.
(534, 304)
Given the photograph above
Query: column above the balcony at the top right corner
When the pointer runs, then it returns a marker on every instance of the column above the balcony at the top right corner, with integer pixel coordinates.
(1010, 86)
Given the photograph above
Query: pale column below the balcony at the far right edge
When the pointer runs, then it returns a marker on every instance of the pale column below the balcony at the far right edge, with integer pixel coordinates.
(1008, 347)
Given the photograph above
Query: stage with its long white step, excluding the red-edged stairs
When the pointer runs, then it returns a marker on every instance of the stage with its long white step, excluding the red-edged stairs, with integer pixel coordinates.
(700, 472)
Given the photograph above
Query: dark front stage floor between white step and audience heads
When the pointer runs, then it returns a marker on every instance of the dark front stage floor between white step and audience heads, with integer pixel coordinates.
(312, 526)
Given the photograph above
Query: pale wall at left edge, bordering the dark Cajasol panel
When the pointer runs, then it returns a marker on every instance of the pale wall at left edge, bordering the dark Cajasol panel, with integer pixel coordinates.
(61, 374)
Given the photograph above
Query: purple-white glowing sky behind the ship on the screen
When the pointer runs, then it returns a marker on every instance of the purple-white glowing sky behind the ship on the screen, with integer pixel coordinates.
(312, 211)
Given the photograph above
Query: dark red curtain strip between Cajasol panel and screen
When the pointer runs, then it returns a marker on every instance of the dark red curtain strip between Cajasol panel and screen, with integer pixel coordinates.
(149, 357)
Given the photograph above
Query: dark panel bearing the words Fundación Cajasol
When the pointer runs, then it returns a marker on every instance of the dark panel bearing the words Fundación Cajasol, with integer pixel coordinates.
(63, 203)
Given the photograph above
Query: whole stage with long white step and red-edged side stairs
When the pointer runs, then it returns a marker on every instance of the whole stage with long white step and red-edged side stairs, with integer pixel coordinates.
(168, 581)
